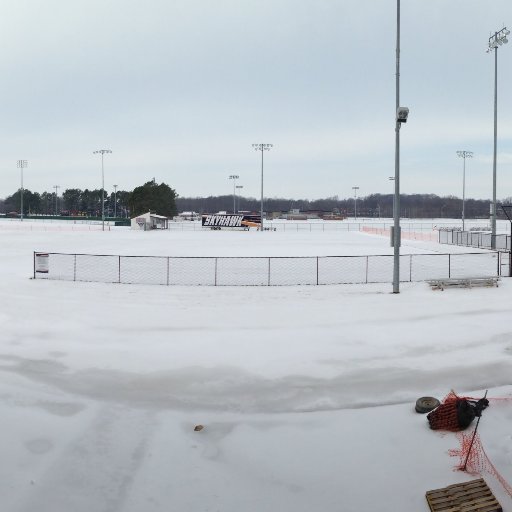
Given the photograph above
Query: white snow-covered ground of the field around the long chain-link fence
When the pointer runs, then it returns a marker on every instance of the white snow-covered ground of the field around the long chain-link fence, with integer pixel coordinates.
(306, 394)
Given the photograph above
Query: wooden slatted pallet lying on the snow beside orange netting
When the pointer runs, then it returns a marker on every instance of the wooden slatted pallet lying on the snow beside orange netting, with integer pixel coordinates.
(473, 496)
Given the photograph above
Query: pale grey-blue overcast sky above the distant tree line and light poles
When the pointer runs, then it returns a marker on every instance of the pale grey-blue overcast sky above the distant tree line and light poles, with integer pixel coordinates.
(179, 90)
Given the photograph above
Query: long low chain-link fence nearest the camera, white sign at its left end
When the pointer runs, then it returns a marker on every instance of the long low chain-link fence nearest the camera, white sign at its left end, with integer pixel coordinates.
(261, 271)
